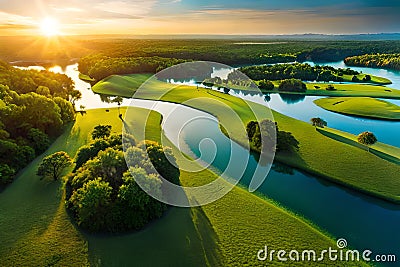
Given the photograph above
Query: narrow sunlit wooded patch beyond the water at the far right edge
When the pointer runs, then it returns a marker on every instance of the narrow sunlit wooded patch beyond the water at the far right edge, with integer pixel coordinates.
(385, 61)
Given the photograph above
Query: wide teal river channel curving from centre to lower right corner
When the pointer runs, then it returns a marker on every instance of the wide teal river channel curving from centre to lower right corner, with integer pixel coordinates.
(365, 222)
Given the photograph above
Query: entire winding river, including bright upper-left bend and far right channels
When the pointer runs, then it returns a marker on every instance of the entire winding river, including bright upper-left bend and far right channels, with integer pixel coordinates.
(366, 222)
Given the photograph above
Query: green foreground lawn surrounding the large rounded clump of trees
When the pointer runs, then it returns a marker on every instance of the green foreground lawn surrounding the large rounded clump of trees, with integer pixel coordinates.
(36, 231)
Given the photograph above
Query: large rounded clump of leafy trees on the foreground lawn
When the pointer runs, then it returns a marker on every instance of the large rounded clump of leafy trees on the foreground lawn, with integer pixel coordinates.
(102, 192)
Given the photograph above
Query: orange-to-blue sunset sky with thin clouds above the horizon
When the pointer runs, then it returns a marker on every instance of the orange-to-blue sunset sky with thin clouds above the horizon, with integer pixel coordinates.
(143, 17)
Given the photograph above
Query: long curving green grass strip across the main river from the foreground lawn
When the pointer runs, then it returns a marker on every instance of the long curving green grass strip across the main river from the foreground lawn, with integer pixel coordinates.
(346, 163)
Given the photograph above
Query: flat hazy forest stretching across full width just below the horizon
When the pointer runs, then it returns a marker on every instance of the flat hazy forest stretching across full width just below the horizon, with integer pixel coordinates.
(228, 51)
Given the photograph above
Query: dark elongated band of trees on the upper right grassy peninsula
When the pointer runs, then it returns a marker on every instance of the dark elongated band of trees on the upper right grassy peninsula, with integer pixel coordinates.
(304, 72)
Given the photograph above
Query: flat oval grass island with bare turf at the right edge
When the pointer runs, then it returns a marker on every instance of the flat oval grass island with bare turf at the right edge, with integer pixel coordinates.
(361, 106)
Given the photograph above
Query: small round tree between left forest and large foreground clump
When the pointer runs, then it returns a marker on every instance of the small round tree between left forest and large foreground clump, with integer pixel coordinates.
(53, 165)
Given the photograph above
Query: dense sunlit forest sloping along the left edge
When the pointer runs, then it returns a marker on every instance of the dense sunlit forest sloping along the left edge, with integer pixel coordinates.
(34, 108)
